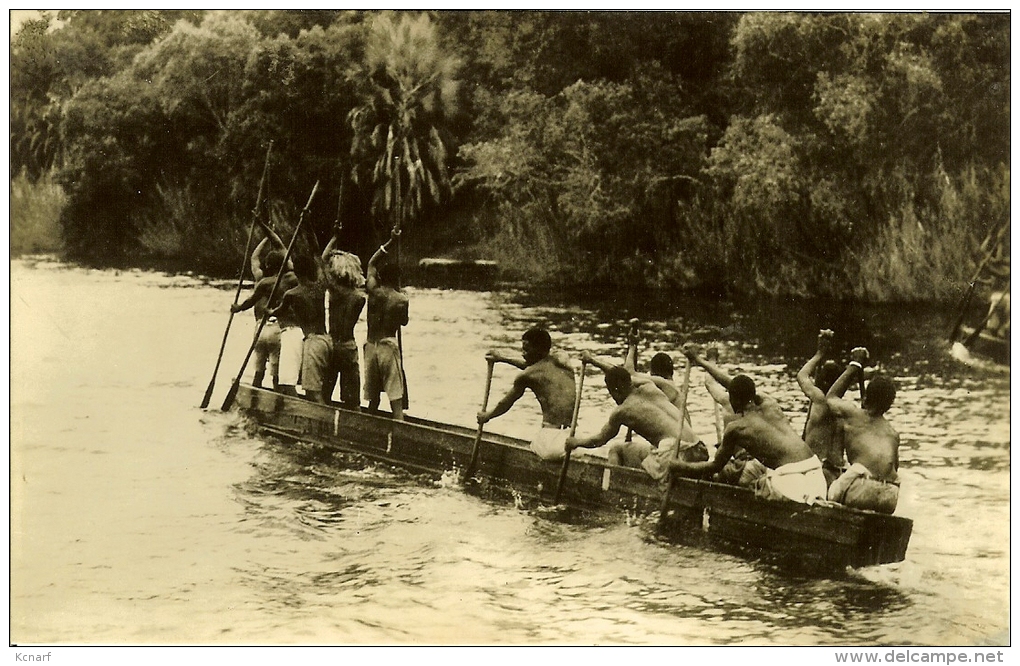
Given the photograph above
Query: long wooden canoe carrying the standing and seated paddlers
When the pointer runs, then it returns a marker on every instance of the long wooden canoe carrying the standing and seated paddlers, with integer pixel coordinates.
(827, 537)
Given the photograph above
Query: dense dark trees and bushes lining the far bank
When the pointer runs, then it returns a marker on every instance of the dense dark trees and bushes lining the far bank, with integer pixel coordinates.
(832, 155)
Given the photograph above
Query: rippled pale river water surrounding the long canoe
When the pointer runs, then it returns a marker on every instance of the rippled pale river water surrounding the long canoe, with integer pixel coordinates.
(139, 519)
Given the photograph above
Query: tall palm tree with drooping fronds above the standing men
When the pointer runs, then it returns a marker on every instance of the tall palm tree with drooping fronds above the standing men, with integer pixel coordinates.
(398, 149)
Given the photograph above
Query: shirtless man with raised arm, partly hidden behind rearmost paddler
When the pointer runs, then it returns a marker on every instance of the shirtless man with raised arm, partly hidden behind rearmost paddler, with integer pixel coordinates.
(821, 432)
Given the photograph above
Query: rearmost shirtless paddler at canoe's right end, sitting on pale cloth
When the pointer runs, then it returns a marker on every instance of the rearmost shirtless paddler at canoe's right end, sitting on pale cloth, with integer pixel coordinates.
(873, 445)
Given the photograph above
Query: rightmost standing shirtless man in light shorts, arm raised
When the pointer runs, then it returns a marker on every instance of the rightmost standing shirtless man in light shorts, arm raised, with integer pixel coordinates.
(388, 312)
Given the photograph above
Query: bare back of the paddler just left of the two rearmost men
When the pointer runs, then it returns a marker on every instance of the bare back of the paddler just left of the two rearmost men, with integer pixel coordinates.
(767, 434)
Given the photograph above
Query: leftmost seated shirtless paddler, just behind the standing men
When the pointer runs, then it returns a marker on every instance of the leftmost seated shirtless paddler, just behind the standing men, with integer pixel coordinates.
(551, 379)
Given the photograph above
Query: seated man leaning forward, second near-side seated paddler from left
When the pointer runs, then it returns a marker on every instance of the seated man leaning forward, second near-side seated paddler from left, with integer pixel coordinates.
(647, 412)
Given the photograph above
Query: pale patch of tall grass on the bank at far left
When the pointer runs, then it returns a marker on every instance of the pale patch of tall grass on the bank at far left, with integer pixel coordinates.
(35, 212)
